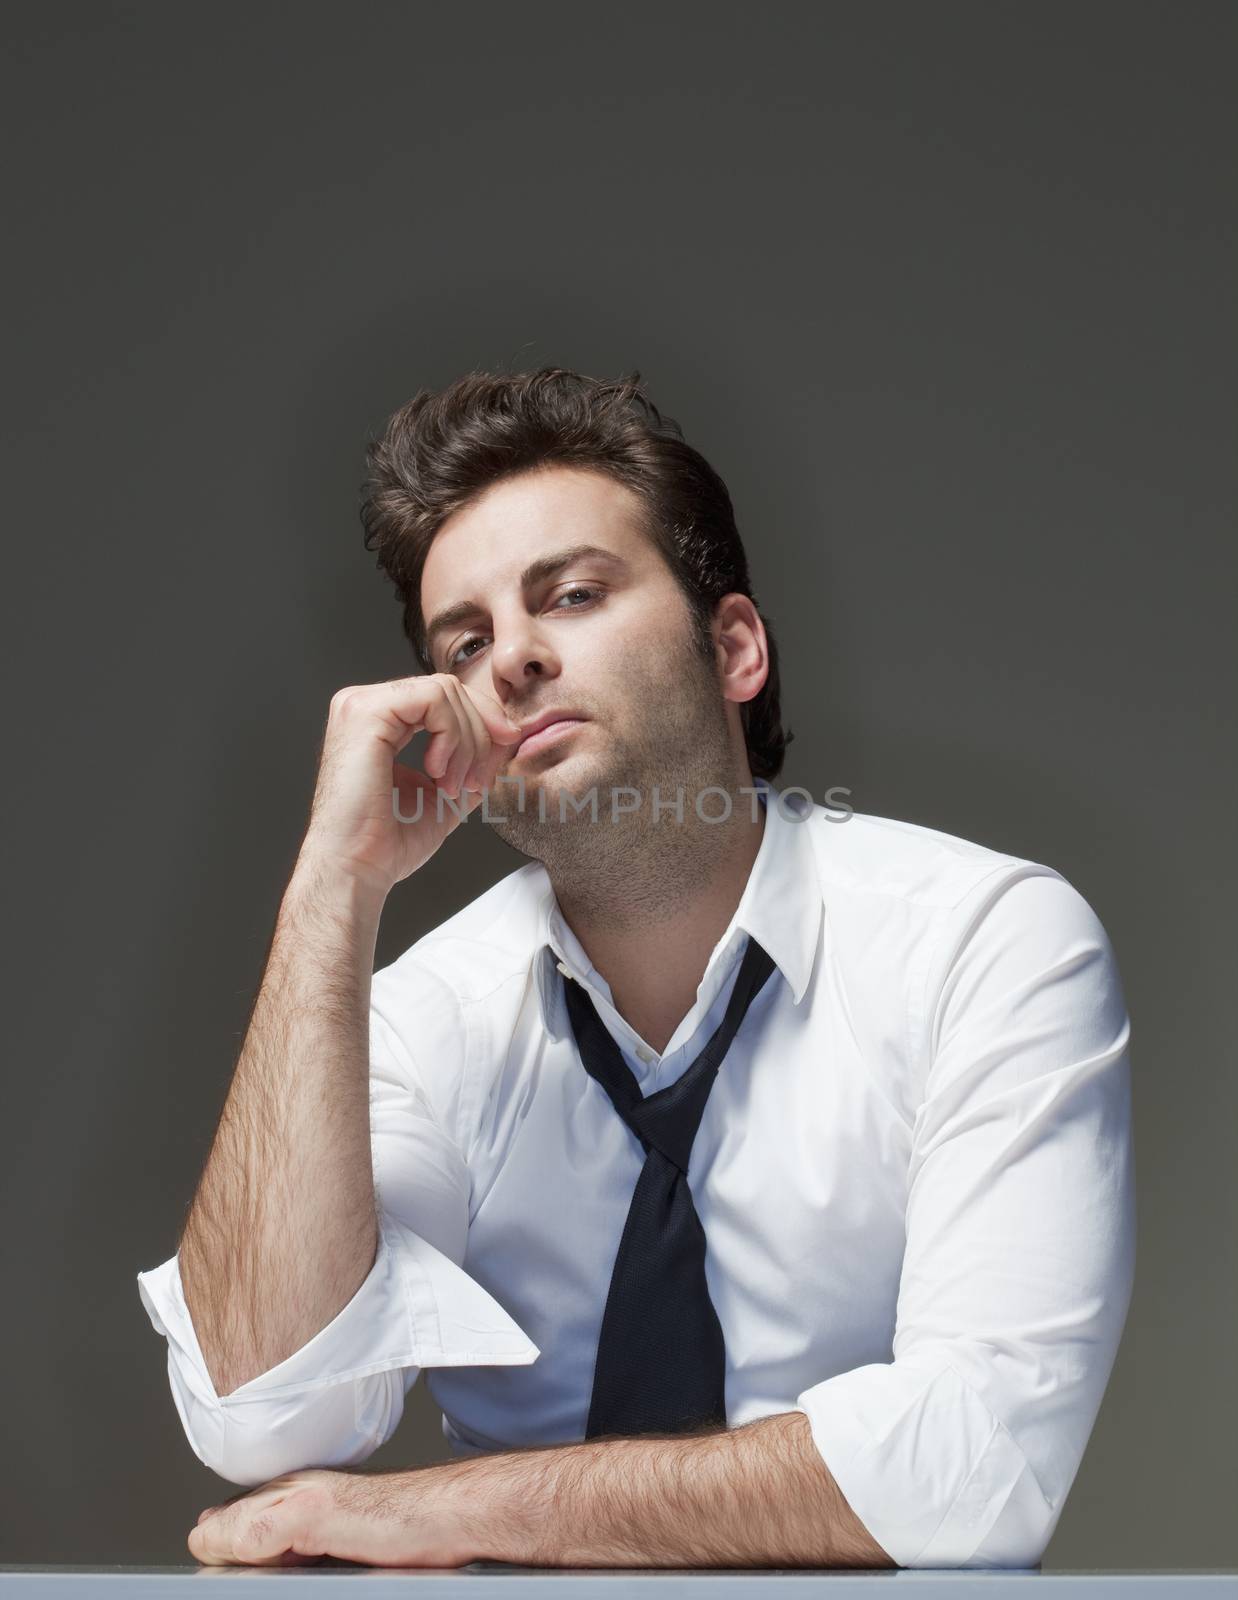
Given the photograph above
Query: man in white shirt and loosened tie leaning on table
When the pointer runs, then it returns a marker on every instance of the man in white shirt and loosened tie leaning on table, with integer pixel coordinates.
(753, 1183)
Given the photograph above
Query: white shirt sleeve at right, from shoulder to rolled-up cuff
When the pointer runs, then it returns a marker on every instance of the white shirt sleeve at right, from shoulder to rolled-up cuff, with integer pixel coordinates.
(1021, 1238)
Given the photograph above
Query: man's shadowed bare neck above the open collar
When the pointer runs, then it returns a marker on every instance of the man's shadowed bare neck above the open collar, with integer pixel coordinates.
(650, 916)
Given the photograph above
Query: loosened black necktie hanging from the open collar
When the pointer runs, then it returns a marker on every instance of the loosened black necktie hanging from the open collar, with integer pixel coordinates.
(661, 1361)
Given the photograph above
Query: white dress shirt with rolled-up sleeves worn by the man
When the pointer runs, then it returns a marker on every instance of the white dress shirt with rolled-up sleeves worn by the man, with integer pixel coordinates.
(914, 1174)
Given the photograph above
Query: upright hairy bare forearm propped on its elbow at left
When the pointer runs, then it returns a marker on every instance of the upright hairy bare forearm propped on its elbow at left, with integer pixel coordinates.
(282, 1231)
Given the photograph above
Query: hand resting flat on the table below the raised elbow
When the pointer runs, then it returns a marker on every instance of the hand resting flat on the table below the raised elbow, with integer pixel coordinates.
(393, 1519)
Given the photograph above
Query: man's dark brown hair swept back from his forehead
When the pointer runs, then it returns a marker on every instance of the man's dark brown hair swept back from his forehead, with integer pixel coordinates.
(442, 452)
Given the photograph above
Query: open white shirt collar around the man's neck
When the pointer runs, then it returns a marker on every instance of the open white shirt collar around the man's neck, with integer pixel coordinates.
(781, 908)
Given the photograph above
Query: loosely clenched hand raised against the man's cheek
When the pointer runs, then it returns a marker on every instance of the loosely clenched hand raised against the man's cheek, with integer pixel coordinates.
(353, 823)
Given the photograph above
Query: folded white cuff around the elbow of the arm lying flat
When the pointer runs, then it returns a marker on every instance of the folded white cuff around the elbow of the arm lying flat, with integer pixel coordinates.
(925, 1465)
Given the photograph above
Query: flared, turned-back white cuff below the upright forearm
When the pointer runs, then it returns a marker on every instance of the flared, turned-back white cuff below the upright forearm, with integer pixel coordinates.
(417, 1308)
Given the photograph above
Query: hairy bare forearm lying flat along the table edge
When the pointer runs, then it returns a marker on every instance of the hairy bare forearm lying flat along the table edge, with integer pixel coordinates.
(751, 1497)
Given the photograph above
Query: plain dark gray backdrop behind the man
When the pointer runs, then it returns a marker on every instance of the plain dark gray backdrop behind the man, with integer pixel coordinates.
(944, 294)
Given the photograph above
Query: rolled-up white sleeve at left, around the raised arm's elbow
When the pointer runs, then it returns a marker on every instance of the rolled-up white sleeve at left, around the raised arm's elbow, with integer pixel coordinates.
(341, 1396)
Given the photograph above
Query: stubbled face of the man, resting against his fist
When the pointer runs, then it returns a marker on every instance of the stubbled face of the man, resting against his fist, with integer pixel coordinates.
(605, 636)
